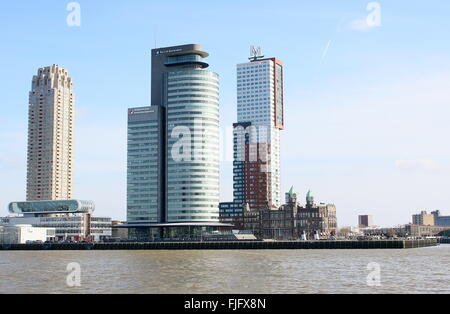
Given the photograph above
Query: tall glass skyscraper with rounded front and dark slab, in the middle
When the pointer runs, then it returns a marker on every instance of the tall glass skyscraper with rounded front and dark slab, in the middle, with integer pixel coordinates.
(173, 145)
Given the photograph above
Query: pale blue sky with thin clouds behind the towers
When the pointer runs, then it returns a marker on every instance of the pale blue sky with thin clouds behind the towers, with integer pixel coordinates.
(367, 92)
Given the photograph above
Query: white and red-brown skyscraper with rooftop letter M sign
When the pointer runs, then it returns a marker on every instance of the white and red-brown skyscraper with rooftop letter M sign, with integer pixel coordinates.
(260, 118)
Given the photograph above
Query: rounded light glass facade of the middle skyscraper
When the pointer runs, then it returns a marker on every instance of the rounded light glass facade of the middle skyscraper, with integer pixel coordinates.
(192, 121)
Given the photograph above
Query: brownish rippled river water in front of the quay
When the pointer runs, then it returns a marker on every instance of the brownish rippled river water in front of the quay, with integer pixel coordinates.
(425, 270)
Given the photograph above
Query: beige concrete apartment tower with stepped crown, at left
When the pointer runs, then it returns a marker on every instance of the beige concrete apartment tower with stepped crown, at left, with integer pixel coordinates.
(50, 135)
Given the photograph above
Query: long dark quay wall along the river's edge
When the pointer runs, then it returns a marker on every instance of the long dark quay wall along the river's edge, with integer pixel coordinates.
(228, 245)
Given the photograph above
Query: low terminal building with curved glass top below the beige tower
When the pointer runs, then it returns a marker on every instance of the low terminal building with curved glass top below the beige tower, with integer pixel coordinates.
(72, 220)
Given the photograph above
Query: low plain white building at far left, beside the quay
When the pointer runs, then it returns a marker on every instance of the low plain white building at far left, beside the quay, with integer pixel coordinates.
(23, 234)
